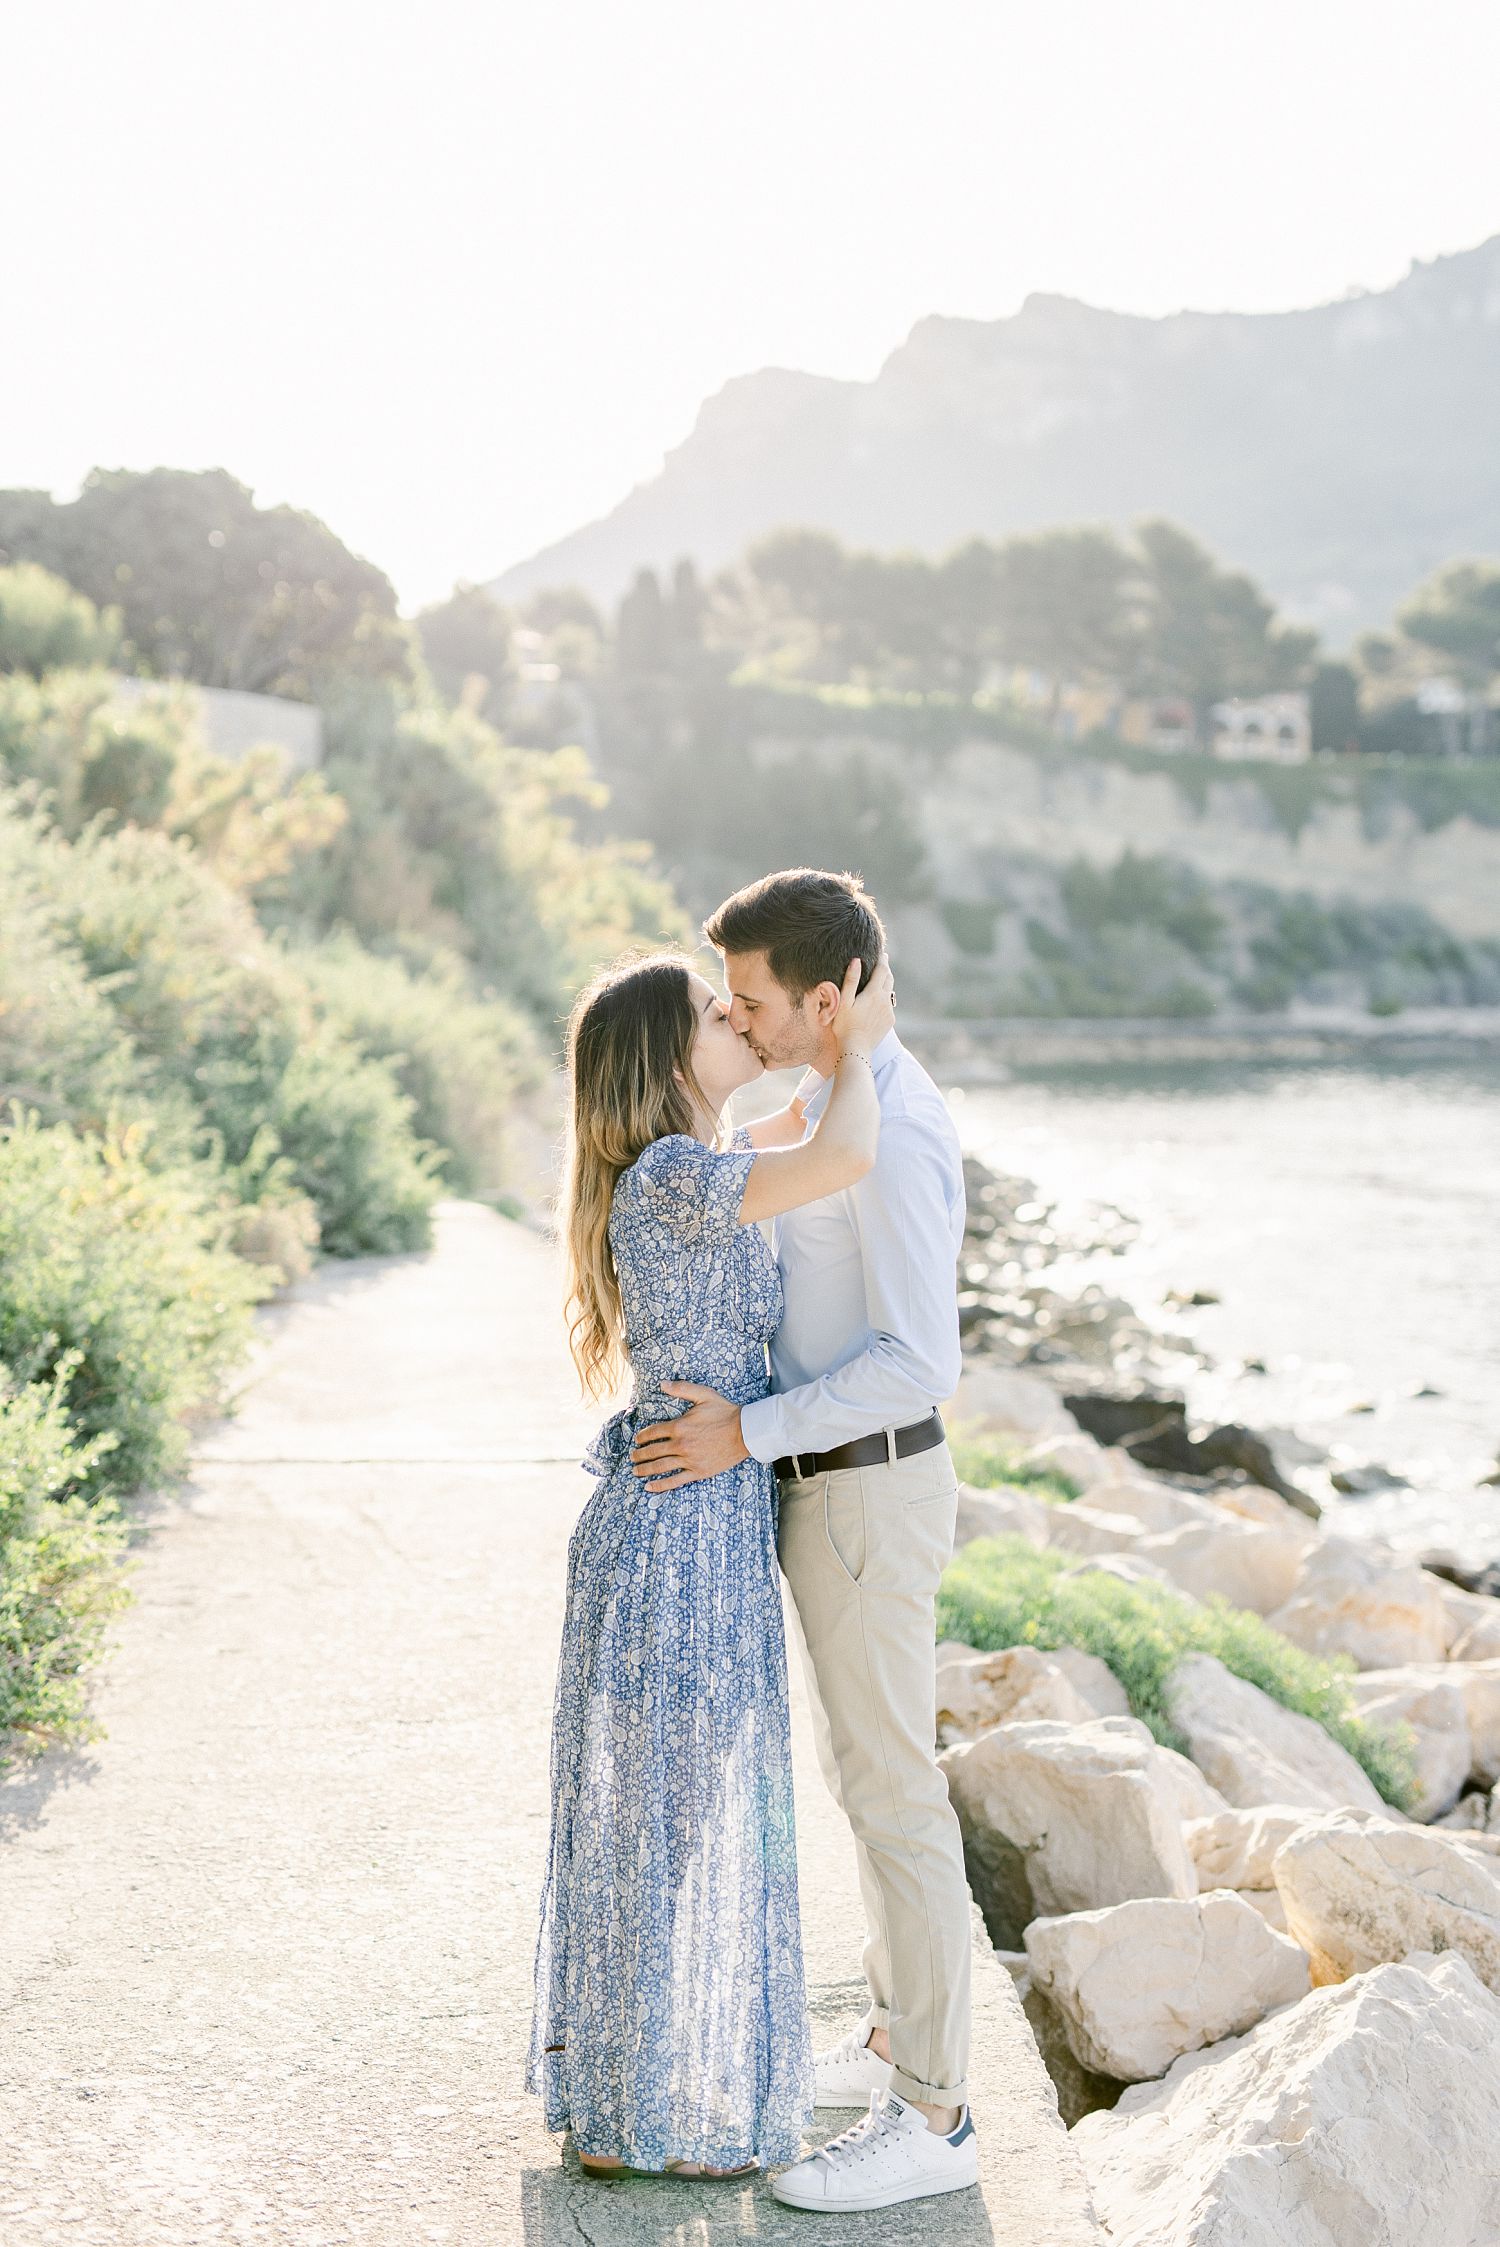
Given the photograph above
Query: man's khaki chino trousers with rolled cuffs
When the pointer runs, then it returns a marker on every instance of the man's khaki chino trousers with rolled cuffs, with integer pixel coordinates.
(863, 1552)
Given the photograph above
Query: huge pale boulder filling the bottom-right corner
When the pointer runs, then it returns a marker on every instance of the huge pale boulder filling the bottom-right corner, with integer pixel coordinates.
(1362, 2118)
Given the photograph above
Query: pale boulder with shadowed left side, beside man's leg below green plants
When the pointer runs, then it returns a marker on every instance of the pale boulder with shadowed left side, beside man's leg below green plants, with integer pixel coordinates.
(1065, 1819)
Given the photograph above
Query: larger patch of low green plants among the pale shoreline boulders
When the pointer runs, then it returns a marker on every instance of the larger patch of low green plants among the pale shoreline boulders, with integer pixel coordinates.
(1005, 1592)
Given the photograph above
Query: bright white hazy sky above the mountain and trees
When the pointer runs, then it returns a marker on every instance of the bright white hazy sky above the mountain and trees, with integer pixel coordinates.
(457, 275)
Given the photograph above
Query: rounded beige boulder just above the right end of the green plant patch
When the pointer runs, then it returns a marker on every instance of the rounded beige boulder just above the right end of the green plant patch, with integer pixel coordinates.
(1364, 1601)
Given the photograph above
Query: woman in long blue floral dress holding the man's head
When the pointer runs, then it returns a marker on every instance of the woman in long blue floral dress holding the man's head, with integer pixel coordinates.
(670, 2028)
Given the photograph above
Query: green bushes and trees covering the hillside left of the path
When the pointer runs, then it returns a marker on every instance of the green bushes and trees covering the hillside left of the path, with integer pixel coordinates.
(246, 1019)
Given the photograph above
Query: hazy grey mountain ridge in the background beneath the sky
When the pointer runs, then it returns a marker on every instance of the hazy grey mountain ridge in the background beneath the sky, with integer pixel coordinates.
(1337, 451)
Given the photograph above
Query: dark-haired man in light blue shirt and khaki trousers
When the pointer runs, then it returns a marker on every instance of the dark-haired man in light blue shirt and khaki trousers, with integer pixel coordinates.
(866, 1354)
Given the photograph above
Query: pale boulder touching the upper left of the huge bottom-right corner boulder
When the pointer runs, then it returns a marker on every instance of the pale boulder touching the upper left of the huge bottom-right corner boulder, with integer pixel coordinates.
(1142, 1983)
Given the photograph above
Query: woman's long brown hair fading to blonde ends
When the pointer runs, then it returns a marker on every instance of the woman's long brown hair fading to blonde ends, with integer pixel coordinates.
(630, 1082)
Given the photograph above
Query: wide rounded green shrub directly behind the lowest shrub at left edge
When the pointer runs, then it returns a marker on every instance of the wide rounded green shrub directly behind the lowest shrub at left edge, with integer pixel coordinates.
(120, 1273)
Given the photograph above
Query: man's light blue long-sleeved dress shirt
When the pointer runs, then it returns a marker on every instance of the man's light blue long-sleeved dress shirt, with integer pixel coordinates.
(870, 1336)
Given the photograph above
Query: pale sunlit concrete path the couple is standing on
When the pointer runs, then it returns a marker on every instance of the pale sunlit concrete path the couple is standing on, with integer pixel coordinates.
(266, 1947)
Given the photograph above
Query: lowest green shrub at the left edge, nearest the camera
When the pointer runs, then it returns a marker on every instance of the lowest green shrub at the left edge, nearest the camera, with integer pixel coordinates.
(60, 1579)
